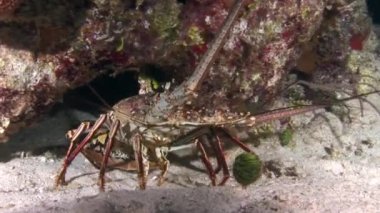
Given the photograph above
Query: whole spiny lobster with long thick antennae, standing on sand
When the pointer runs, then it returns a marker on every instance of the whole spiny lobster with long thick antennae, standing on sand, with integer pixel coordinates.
(139, 127)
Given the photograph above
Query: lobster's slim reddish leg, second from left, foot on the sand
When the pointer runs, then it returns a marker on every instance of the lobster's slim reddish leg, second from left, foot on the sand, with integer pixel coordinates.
(110, 141)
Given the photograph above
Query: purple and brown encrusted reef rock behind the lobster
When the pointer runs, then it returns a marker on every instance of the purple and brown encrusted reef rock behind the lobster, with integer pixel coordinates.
(48, 47)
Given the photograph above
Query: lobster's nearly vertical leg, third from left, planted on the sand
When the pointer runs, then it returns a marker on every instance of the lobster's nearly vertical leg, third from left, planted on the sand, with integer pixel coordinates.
(141, 165)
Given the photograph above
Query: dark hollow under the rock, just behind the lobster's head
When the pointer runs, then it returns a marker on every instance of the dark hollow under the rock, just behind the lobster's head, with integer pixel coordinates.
(112, 89)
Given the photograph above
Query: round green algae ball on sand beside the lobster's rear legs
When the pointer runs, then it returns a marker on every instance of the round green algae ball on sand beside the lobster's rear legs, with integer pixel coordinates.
(247, 168)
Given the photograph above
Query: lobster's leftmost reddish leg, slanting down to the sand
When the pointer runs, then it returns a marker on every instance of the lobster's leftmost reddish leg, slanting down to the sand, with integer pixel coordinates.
(71, 154)
